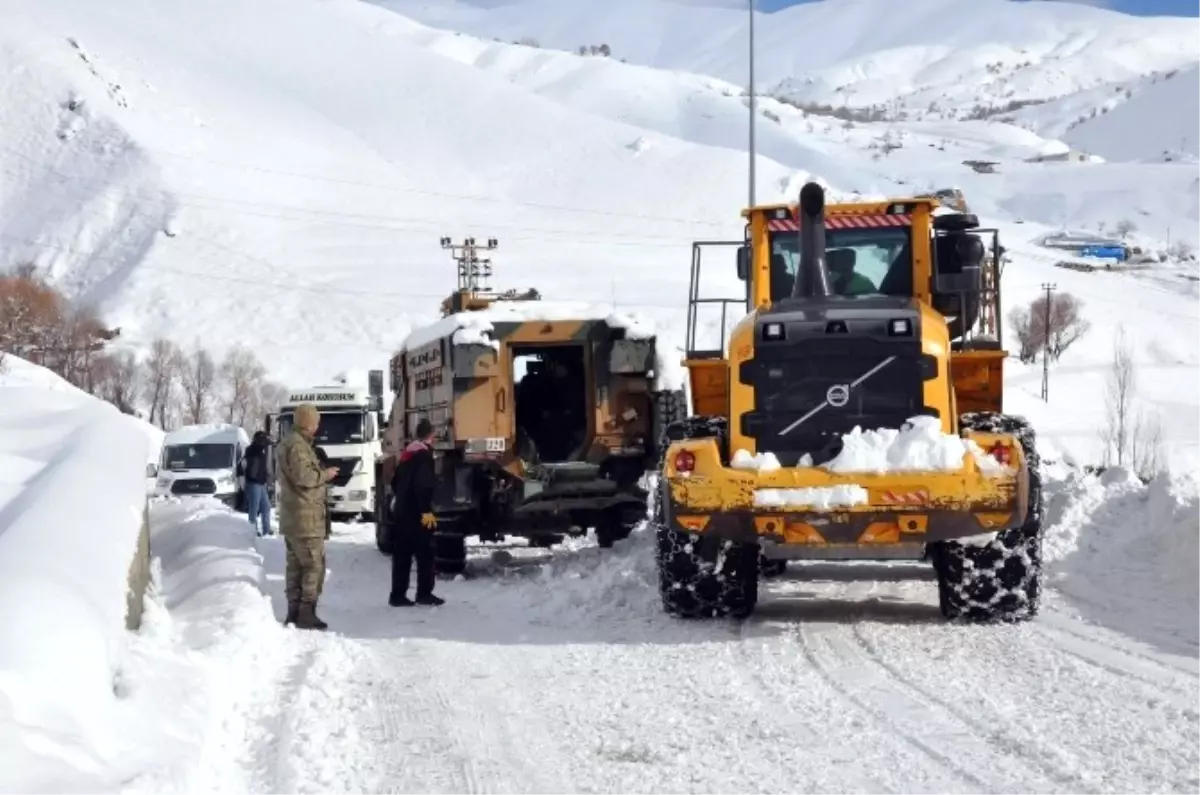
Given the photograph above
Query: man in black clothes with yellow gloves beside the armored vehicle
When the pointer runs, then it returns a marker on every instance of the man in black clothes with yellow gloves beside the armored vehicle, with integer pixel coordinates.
(415, 521)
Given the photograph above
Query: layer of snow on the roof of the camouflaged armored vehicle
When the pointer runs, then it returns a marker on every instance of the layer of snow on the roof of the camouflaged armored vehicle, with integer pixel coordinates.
(476, 328)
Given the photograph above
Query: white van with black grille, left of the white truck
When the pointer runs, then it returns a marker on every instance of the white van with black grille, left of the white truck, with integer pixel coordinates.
(202, 462)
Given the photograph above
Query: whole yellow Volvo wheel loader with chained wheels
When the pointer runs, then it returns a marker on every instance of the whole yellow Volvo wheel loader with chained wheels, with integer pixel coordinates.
(854, 414)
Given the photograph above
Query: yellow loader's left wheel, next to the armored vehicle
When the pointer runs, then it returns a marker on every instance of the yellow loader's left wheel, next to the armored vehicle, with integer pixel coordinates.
(703, 576)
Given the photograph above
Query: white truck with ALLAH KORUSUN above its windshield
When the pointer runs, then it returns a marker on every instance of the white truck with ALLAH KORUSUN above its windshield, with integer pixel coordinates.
(350, 435)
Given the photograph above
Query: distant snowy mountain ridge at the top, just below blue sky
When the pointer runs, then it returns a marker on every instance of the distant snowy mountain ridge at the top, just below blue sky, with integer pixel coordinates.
(928, 58)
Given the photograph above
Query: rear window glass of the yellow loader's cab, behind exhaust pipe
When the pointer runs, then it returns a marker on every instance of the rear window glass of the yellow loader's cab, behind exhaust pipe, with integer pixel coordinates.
(861, 262)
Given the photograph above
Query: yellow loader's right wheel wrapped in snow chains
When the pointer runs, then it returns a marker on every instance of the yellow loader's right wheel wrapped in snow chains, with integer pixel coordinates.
(1001, 579)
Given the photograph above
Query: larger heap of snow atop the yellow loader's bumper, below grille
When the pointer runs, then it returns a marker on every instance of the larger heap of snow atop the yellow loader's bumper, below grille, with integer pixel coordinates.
(919, 446)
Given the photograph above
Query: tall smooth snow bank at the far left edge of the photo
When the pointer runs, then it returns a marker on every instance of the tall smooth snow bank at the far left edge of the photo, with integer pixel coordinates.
(73, 495)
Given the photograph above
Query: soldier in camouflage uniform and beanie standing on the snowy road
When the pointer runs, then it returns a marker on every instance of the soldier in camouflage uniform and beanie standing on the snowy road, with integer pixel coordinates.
(303, 518)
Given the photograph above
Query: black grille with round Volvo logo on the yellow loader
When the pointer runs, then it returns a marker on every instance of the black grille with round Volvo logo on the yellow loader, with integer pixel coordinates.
(793, 380)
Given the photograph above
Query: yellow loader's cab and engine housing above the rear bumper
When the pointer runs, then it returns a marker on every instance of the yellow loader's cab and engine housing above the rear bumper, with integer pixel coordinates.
(885, 270)
